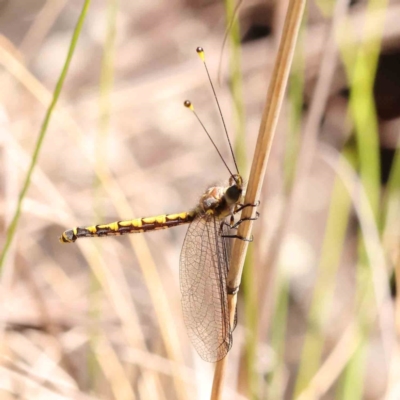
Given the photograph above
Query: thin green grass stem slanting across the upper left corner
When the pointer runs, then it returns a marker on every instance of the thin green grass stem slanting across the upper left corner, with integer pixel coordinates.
(35, 156)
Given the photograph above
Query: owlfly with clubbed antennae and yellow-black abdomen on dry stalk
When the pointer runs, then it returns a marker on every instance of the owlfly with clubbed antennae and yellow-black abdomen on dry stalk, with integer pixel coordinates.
(205, 256)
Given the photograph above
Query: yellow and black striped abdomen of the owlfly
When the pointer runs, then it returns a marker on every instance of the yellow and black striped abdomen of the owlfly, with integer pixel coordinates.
(138, 225)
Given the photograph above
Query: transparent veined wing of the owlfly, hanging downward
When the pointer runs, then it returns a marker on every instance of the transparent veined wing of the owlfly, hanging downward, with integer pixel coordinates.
(203, 271)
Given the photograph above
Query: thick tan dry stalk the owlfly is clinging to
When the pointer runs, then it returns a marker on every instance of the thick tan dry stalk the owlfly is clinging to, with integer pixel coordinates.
(268, 125)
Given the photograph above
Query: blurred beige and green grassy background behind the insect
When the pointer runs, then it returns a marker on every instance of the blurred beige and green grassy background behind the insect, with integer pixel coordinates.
(101, 318)
